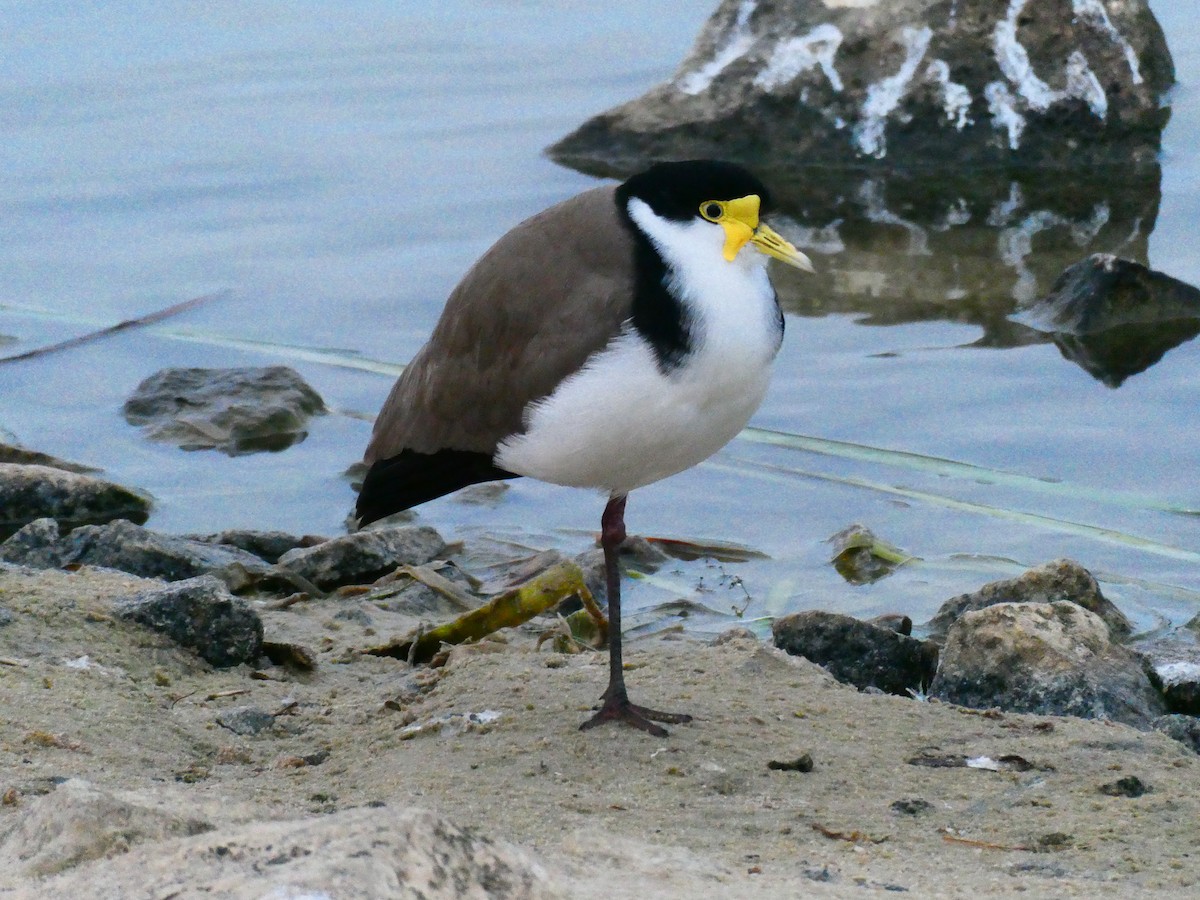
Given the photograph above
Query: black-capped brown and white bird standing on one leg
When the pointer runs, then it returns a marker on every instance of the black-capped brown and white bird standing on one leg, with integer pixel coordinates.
(616, 339)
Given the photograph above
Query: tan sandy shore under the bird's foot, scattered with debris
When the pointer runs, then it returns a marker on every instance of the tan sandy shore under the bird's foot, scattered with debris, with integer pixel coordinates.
(609, 813)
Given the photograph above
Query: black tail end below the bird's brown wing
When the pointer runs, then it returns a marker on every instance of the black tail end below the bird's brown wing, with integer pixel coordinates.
(411, 479)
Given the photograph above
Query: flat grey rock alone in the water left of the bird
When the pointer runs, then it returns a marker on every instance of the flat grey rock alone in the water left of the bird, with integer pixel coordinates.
(237, 411)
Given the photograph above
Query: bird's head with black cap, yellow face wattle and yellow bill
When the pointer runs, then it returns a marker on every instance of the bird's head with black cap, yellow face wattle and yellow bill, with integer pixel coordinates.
(700, 193)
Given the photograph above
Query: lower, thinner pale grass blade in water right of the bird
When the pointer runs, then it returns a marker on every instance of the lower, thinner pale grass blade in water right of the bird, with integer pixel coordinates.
(1108, 536)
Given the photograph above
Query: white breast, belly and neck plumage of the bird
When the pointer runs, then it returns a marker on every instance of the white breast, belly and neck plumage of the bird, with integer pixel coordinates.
(621, 422)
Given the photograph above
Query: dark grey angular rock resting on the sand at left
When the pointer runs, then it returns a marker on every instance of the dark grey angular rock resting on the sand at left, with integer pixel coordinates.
(202, 615)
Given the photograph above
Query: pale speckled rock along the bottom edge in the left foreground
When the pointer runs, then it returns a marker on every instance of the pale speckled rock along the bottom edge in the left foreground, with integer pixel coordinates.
(375, 853)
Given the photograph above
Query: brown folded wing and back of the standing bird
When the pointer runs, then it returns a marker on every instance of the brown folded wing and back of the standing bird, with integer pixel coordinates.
(549, 295)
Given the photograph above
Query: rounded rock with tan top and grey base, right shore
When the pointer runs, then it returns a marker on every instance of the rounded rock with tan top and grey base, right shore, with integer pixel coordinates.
(1054, 659)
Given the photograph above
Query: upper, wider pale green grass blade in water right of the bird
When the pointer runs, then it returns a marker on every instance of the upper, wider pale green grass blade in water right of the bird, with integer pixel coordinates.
(952, 469)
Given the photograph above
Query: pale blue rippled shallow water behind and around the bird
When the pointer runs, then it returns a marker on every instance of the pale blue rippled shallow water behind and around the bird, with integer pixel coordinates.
(337, 175)
